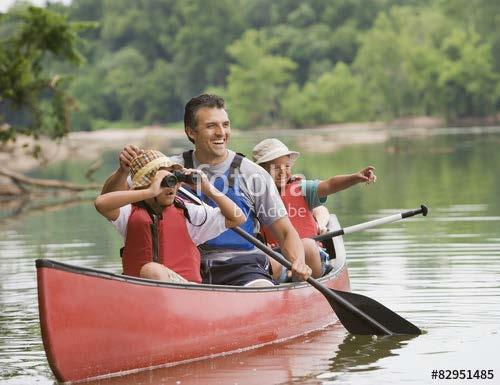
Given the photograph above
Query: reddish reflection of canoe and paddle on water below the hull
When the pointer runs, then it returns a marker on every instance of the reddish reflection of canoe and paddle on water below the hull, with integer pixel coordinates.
(304, 360)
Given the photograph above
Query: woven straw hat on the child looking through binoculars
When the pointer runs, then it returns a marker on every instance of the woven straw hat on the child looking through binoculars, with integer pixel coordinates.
(145, 165)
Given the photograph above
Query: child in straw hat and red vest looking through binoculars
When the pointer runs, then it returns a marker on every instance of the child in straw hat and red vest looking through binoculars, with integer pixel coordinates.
(162, 232)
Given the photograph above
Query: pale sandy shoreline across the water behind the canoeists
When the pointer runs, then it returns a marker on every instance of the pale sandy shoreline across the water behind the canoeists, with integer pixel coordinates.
(89, 145)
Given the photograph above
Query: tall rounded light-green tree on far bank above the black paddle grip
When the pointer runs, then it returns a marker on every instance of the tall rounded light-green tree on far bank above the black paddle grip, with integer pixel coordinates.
(398, 60)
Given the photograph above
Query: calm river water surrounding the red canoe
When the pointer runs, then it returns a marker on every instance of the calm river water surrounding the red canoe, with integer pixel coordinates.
(441, 272)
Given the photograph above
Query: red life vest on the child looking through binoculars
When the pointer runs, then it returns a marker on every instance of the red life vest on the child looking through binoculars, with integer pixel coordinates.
(176, 249)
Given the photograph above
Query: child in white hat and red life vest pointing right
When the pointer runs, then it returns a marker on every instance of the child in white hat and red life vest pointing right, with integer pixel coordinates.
(300, 197)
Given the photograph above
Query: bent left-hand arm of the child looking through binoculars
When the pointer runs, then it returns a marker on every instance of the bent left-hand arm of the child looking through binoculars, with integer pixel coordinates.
(109, 204)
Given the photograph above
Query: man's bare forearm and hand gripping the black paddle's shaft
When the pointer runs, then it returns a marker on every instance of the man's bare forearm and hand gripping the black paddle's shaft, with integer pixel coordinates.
(291, 247)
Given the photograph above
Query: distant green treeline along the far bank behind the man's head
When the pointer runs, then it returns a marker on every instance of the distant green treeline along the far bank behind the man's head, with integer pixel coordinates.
(290, 62)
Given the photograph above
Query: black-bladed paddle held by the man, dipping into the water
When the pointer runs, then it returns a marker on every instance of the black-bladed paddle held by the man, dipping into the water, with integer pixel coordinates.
(358, 314)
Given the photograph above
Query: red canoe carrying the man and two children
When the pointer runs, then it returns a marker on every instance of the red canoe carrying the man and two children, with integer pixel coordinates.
(95, 323)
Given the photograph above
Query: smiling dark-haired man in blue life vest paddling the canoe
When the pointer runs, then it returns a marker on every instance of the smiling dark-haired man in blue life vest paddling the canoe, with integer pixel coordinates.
(229, 259)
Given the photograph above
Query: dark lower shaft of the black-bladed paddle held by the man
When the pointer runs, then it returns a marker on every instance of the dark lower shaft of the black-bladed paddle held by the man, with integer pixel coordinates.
(319, 286)
